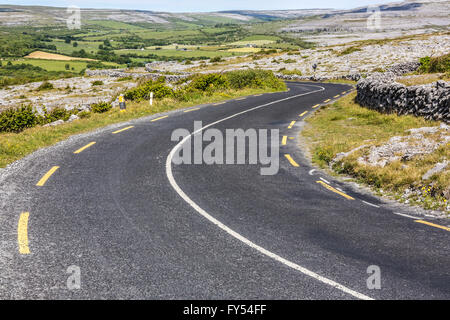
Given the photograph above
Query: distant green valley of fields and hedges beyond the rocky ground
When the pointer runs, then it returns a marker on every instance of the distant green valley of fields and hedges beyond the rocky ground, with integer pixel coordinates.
(130, 44)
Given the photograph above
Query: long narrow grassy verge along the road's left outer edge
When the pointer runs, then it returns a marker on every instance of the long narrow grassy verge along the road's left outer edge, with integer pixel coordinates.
(14, 146)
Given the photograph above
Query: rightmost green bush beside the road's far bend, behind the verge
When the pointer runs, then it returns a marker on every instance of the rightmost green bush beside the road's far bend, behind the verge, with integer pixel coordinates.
(254, 79)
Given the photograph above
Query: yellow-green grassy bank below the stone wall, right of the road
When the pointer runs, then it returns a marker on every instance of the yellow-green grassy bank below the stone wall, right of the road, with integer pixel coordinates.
(344, 126)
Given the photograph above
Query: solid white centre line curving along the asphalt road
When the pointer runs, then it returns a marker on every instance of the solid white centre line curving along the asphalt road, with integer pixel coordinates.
(236, 235)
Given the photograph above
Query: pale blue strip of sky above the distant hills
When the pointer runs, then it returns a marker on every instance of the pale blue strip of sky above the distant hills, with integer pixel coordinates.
(201, 5)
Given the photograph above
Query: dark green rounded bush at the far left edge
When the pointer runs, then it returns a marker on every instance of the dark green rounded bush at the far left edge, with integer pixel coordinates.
(17, 119)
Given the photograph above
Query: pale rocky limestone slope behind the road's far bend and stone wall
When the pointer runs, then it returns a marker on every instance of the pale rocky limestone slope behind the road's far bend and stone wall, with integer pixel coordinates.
(331, 62)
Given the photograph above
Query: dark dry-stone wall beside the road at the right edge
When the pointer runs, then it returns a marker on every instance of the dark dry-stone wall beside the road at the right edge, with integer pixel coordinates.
(382, 93)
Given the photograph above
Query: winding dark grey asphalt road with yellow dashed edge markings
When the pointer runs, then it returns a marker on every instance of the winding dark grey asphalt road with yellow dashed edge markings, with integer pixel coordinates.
(139, 227)
